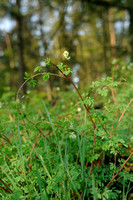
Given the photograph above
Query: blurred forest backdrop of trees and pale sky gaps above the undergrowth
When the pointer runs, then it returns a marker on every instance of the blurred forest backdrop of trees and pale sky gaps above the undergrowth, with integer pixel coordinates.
(94, 32)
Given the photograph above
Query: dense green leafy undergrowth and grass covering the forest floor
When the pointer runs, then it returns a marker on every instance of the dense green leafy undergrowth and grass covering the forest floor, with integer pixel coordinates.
(59, 154)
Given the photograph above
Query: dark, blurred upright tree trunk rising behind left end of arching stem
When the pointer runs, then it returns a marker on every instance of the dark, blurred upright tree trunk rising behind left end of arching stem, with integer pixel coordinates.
(19, 20)
